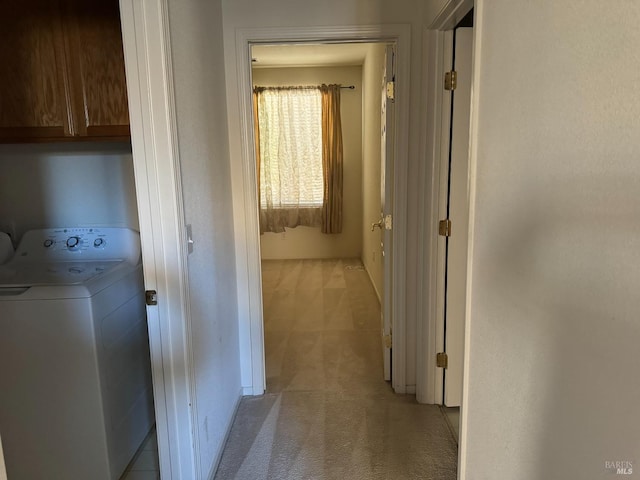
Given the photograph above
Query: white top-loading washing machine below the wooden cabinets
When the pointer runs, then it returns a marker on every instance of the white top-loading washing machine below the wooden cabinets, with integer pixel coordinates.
(75, 377)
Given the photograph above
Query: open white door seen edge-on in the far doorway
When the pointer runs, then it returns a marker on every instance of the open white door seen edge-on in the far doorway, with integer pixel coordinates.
(386, 182)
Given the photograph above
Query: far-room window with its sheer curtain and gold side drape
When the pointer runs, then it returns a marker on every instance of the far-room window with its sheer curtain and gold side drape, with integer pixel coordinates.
(299, 157)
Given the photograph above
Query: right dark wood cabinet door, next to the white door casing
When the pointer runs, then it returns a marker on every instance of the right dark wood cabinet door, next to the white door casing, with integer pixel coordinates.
(96, 67)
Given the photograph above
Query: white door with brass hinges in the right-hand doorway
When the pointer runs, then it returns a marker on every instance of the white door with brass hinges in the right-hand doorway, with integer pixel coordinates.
(458, 213)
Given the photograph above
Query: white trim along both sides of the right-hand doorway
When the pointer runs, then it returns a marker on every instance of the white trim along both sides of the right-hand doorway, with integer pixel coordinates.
(428, 376)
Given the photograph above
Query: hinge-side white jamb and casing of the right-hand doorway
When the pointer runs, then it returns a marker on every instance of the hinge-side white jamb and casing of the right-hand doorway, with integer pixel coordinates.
(437, 44)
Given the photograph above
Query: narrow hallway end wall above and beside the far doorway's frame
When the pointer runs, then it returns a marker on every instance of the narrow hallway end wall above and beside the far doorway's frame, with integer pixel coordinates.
(243, 14)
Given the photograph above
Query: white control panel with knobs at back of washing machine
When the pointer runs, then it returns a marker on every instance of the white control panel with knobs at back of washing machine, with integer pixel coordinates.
(79, 244)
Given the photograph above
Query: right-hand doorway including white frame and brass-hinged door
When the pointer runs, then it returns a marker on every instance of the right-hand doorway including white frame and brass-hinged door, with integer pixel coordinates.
(434, 371)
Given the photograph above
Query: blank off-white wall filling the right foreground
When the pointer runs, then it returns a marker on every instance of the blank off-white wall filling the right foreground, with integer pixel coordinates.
(553, 352)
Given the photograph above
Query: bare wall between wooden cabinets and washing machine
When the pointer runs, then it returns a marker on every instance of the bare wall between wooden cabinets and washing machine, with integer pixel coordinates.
(66, 184)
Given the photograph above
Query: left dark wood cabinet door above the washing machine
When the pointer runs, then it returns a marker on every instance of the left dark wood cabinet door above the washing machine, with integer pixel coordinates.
(34, 99)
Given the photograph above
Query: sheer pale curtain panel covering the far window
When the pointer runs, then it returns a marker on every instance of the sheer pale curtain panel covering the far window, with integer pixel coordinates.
(290, 151)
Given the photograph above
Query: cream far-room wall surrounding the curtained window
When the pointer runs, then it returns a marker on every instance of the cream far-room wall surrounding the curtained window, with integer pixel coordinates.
(310, 242)
